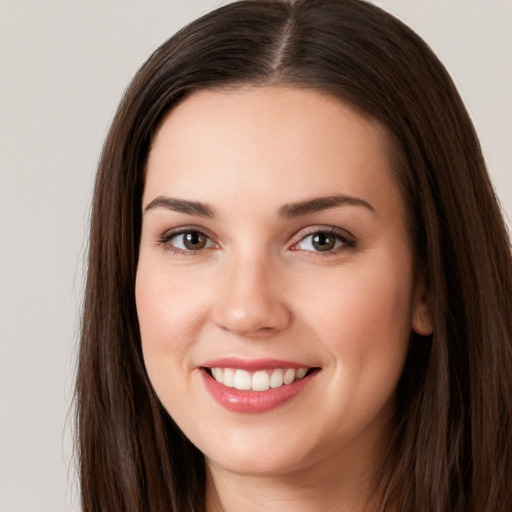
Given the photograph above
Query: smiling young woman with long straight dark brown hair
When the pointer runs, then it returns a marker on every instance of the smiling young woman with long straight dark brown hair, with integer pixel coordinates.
(299, 286)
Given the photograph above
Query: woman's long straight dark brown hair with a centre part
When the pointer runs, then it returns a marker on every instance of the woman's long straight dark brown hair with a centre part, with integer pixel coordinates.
(452, 447)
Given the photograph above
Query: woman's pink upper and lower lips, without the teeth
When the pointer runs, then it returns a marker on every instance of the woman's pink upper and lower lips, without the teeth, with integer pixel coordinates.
(252, 401)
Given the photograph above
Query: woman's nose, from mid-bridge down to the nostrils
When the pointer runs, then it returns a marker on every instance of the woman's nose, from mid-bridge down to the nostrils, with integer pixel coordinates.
(251, 299)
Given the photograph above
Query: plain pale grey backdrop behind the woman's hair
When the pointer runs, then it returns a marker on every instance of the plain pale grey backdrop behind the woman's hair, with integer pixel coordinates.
(63, 67)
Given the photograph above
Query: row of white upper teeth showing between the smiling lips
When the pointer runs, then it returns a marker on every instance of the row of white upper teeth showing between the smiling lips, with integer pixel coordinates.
(261, 380)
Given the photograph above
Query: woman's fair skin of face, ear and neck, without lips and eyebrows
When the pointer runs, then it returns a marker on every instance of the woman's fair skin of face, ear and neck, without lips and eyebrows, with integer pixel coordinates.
(260, 289)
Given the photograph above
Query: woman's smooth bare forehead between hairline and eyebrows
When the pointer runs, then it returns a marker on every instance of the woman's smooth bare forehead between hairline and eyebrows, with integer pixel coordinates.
(257, 141)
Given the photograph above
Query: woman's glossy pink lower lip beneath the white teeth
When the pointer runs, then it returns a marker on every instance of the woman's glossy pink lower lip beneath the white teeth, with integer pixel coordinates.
(253, 401)
